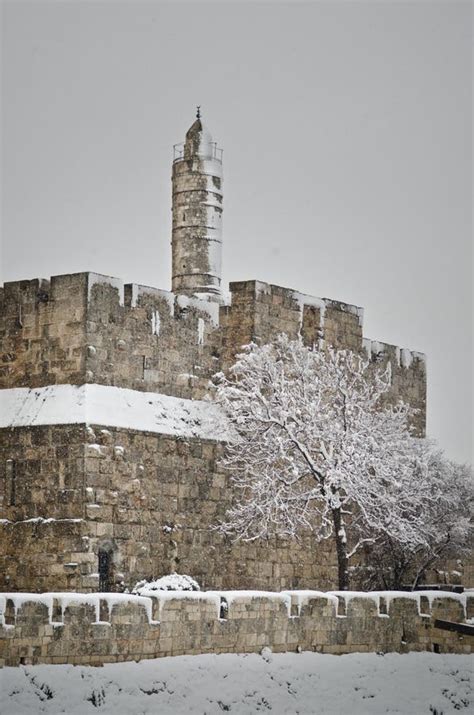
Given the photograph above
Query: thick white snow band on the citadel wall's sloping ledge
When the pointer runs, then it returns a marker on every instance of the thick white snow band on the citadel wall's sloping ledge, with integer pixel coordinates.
(111, 407)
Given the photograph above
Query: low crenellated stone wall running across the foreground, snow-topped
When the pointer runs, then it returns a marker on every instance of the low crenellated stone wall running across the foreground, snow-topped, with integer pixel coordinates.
(106, 628)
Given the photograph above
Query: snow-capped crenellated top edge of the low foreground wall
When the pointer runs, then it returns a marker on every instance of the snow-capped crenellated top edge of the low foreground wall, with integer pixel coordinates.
(289, 603)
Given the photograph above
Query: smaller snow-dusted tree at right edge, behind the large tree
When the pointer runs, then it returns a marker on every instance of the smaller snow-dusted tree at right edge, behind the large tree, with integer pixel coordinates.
(445, 528)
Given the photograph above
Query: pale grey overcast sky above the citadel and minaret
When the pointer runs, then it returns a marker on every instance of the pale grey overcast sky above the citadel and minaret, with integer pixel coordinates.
(347, 133)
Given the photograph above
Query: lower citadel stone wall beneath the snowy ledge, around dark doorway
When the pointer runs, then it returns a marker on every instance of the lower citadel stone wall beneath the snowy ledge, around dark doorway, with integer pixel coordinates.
(150, 499)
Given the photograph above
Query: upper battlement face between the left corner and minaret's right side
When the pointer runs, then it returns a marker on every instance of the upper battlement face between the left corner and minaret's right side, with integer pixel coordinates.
(157, 341)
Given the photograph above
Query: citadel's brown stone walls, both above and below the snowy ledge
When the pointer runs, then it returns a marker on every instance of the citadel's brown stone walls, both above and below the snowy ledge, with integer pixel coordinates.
(150, 498)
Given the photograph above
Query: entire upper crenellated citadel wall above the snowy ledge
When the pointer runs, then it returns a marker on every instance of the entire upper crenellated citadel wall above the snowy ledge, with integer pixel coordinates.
(90, 328)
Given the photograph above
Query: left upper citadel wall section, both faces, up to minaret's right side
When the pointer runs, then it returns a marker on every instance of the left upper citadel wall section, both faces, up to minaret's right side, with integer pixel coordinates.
(93, 328)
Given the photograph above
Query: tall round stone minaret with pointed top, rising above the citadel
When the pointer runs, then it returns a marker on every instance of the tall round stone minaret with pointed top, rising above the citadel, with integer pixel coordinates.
(197, 215)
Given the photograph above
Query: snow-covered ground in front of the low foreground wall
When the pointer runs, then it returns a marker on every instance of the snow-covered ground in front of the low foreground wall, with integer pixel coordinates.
(359, 684)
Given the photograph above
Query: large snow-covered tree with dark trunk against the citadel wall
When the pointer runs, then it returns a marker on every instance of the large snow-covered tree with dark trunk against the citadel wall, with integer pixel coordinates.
(311, 447)
